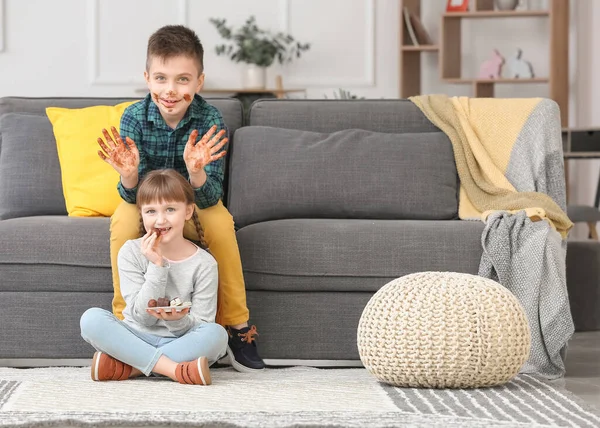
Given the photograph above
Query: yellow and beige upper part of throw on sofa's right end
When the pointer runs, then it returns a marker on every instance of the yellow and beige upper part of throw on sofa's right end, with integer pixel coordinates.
(484, 133)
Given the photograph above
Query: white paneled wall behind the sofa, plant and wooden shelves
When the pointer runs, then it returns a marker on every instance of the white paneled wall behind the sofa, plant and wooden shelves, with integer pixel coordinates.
(97, 48)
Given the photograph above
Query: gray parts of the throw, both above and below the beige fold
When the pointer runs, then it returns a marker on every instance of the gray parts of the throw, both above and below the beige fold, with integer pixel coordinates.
(528, 257)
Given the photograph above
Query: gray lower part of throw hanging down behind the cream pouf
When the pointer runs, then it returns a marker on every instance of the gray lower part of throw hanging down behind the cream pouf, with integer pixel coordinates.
(529, 259)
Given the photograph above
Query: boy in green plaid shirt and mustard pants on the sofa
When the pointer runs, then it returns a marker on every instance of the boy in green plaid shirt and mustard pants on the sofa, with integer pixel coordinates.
(161, 132)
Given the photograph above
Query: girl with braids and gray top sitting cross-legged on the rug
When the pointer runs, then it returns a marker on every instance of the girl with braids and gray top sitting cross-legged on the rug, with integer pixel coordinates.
(180, 345)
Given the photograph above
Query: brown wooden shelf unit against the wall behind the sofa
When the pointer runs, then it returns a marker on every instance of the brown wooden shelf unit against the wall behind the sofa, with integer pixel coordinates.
(449, 49)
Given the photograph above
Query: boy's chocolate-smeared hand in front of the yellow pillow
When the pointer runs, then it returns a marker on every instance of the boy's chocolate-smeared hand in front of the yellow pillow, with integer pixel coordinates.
(125, 159)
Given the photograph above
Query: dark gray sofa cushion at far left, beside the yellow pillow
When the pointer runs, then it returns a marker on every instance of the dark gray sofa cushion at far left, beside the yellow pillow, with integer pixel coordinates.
(29, 168)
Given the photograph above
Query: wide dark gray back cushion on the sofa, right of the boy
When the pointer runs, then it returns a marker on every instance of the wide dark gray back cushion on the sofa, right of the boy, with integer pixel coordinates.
(346, 174)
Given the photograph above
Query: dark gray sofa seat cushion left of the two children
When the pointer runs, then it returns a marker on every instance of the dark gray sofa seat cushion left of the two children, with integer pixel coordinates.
(55, 253)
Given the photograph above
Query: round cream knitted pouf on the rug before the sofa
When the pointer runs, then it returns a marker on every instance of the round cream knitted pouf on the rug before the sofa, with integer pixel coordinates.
(443, 330)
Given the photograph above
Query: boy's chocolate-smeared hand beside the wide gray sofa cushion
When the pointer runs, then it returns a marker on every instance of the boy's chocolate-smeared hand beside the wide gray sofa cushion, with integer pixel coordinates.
(198, 155)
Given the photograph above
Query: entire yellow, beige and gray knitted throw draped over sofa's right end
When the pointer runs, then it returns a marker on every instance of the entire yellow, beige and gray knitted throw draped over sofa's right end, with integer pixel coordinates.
(508, 154)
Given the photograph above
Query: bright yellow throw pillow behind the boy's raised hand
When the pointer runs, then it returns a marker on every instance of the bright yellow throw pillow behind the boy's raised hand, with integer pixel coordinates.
(89, 183)
